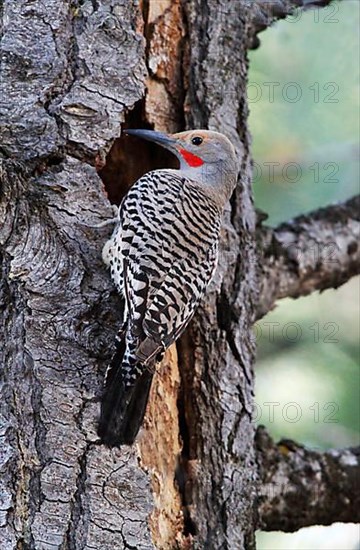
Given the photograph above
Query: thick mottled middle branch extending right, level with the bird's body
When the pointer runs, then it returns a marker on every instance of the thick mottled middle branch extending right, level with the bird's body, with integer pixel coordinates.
(312, 252)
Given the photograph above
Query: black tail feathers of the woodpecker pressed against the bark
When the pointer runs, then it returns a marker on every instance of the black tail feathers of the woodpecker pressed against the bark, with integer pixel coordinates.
(123, 406)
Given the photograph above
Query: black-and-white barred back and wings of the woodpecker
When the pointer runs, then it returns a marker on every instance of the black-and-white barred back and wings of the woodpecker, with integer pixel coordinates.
(169, 241)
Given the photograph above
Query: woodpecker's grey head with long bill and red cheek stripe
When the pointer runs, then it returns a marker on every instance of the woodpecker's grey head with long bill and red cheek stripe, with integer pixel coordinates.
(206, 156)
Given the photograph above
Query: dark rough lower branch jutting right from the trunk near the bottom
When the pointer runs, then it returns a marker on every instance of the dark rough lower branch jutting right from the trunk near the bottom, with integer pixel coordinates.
(301, 487)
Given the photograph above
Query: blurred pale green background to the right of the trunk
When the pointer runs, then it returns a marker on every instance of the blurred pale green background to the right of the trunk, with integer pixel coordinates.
(304, 101)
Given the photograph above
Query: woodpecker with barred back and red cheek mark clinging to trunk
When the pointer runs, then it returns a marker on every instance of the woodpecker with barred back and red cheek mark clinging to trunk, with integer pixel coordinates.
(162, 255)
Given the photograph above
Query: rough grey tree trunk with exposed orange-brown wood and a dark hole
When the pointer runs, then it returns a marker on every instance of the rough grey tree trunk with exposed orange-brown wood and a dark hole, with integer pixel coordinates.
(73, 73)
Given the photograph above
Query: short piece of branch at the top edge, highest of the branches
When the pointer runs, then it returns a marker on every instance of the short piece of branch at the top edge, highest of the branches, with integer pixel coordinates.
(265, 12)
